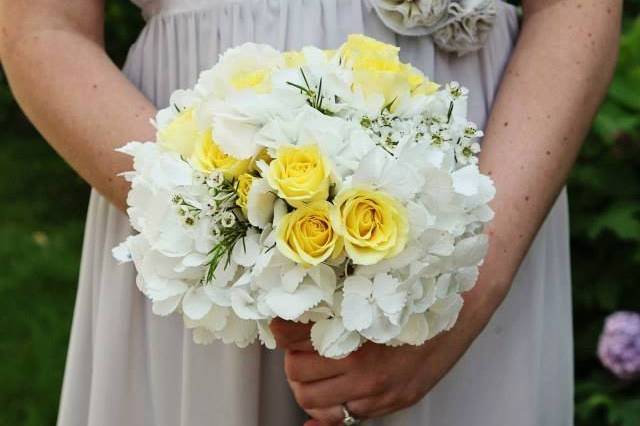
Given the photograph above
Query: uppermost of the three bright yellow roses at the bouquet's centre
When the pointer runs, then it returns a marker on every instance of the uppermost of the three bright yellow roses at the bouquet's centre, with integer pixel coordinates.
(300, 174)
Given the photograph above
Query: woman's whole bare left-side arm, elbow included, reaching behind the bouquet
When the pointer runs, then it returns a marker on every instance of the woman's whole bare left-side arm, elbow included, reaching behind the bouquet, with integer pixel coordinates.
(53, 54)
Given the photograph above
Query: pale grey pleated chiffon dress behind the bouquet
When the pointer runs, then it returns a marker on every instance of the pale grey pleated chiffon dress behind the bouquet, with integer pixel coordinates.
(127, 366)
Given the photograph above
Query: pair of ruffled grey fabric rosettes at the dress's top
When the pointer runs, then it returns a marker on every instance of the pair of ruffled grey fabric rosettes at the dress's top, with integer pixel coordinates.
(456, 26)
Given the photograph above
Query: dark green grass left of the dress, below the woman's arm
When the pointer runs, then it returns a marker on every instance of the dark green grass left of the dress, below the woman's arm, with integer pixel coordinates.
(42, 212)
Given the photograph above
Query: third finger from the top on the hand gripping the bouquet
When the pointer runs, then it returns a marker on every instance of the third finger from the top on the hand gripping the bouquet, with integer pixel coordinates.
(331, 392)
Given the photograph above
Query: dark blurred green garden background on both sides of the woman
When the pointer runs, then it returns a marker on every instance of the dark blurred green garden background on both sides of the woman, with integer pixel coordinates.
(42, 215)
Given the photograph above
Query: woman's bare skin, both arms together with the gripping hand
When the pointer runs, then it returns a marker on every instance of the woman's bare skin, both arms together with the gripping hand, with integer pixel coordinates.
(79, 100)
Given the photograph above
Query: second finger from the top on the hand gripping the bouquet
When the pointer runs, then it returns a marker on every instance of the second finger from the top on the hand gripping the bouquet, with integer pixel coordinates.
(310, 366)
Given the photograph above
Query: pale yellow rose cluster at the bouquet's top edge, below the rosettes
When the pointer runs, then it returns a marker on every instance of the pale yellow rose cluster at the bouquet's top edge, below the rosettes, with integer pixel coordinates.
(377, 69)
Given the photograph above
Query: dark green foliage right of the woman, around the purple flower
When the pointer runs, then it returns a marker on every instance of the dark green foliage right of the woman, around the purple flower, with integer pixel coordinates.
(604, 191)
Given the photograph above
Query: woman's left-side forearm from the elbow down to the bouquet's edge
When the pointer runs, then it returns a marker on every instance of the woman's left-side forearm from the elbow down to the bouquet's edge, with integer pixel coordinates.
(80, 102)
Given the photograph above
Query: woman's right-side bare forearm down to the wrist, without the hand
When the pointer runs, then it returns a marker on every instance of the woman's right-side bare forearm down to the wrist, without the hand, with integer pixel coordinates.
(550, 92)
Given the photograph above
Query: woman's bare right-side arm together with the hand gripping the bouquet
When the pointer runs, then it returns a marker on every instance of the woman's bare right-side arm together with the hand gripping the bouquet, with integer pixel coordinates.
(551, 89)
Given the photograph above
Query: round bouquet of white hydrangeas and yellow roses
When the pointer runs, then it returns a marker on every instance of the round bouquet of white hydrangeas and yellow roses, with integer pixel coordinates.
(338, 187)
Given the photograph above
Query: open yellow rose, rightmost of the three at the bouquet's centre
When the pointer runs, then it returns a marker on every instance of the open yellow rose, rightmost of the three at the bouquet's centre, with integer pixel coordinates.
(373, 224)
